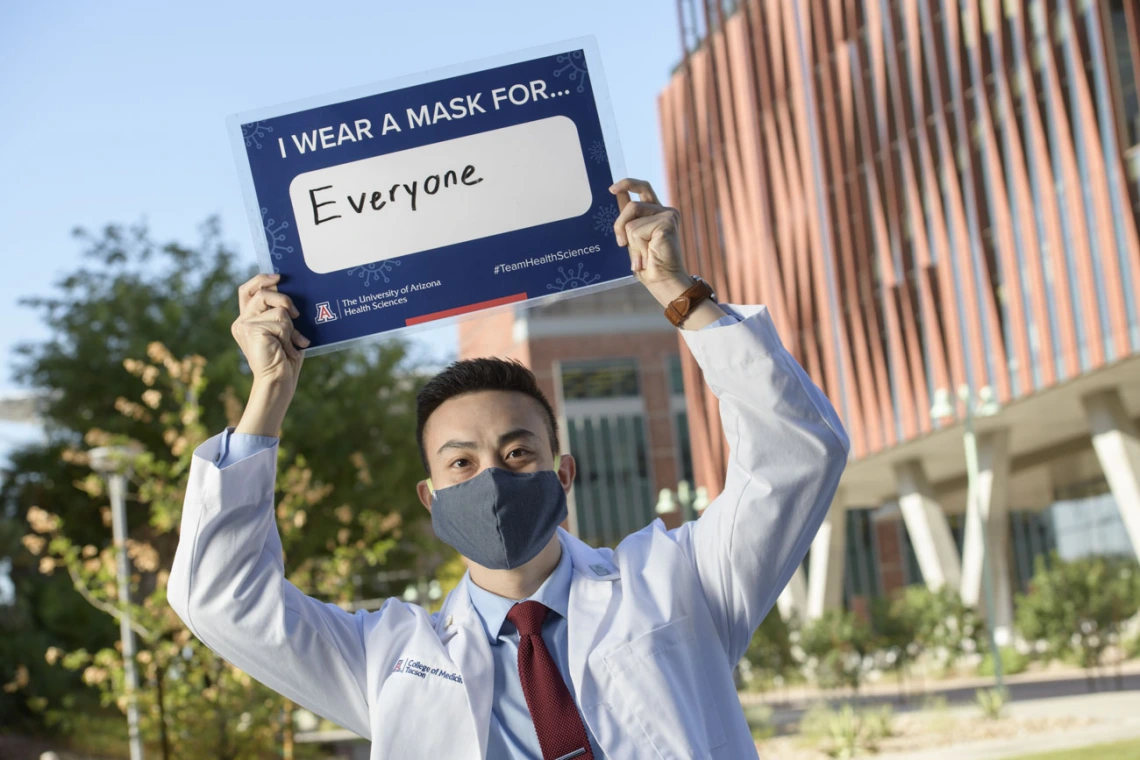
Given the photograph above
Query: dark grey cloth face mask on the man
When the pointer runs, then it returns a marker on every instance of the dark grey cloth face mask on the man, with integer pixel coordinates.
(500, 519)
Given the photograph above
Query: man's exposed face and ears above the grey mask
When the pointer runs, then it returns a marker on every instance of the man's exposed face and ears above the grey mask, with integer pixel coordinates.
(491, 429)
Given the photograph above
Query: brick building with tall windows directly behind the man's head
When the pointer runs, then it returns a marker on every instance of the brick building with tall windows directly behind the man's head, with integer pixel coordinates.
(610, 364)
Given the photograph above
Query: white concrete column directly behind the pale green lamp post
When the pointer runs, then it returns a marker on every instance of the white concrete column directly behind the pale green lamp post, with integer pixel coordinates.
(988, 512)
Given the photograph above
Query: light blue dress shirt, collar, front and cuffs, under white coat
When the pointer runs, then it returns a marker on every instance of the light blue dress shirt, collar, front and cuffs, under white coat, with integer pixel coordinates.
(512, 732)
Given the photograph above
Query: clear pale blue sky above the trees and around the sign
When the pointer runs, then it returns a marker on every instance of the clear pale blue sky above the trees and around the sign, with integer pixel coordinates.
(115, 112)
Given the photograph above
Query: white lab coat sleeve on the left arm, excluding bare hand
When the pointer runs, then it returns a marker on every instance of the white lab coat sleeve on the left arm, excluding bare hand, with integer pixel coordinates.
(229, 586)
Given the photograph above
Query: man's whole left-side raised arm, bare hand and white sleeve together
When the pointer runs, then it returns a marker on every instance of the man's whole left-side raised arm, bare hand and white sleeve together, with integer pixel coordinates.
(229, 579)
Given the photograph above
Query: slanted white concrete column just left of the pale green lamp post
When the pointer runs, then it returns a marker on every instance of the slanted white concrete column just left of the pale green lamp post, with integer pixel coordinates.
(927, 527)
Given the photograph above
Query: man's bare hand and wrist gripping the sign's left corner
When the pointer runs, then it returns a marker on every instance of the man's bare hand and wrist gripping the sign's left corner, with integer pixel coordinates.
(264, 331)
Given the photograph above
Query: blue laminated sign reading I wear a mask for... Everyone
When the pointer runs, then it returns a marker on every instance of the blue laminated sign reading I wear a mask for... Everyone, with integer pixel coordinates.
(398, 206)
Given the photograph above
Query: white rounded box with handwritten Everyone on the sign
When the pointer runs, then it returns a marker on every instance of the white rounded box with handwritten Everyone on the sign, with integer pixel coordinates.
(441, 194)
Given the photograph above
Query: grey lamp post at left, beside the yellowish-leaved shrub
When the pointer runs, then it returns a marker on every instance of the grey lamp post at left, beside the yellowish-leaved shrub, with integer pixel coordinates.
(113, 463)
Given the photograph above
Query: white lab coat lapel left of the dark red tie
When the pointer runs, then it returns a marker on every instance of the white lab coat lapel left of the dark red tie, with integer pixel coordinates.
(466, 642)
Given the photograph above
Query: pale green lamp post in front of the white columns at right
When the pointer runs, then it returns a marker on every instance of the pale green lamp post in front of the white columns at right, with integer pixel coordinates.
(986, 405)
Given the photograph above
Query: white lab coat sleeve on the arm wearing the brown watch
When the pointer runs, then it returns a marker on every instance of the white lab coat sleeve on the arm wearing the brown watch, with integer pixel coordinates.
(787, 451)
